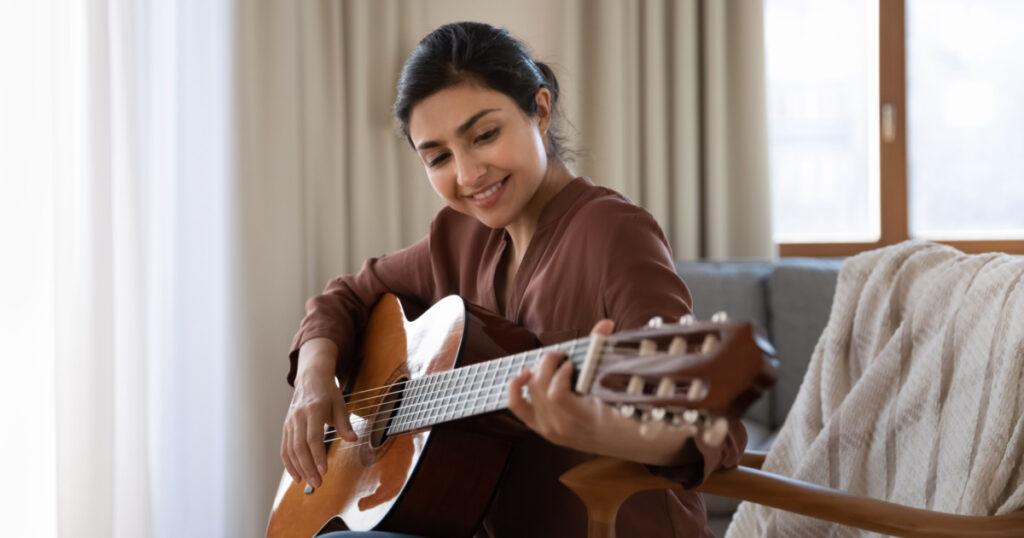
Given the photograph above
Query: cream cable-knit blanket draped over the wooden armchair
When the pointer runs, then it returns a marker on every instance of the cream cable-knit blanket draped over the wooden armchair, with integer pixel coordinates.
(915, 393)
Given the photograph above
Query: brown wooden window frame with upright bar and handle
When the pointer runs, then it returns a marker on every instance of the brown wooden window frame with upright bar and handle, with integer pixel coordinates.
(893, 174)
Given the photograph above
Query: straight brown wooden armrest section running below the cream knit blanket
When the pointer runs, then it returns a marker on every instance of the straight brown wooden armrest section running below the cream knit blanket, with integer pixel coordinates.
(862, 513)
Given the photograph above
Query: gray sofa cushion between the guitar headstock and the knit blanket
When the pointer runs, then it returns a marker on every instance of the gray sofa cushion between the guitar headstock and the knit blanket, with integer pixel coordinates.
(800, 293)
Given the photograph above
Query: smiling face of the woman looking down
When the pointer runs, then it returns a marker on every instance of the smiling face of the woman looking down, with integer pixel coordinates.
(483, 154)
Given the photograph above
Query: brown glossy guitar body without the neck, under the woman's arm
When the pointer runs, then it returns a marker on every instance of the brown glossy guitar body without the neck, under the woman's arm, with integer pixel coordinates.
(431, 482)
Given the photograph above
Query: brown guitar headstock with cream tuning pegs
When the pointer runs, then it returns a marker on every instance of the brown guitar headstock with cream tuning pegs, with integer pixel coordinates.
(687, 374)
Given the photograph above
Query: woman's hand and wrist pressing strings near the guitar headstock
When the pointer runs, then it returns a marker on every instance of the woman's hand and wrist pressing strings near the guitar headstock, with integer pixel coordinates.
(583, 423)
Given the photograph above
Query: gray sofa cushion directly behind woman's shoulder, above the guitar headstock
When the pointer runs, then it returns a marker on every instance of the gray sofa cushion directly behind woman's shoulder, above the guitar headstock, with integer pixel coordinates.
(739, 289)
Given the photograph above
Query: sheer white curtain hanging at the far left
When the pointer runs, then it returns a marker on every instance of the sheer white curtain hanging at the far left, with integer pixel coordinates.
(135, 231)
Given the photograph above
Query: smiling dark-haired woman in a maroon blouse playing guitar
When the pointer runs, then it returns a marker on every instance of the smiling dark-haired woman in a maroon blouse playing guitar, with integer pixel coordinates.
(524, 237)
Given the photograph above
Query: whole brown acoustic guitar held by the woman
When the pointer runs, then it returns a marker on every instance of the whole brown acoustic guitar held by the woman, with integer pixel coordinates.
(419, 469)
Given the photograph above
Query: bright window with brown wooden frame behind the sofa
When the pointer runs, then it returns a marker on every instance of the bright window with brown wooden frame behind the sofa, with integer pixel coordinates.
(845, 78)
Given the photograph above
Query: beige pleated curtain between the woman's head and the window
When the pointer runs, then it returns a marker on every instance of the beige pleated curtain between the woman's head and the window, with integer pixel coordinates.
(672, 110)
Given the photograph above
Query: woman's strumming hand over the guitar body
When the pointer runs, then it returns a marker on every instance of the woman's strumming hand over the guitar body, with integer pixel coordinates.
(317, 401)
